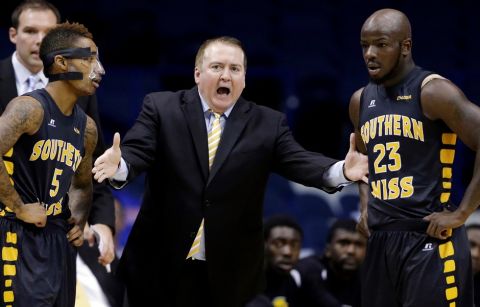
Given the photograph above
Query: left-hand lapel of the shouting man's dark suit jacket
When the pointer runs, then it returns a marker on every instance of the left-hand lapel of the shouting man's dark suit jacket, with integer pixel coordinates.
(192, 108)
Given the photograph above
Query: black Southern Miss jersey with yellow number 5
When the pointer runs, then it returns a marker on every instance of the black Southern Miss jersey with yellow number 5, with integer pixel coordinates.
(41, 166)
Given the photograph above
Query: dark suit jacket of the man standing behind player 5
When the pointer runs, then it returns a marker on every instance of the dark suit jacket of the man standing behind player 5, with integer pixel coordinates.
(103, 210)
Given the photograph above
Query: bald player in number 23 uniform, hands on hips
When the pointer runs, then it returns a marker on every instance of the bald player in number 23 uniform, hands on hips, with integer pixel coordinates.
(407, 120)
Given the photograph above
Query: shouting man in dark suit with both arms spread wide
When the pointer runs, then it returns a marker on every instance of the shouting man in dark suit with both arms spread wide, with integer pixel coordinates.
(173, 140)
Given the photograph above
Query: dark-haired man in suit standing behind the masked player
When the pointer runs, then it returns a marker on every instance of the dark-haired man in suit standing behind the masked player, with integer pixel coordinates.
(31, 20)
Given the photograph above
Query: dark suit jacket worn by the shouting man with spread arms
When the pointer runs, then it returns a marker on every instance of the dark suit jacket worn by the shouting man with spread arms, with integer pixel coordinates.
(169, 142)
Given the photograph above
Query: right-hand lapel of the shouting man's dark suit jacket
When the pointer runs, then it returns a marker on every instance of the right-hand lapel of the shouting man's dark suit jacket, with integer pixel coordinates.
(233, 128)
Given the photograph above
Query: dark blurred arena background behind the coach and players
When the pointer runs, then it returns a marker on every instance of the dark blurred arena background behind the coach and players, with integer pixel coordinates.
(304, 59)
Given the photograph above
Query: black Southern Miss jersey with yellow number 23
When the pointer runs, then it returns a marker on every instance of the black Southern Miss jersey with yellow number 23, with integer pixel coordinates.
(410, 157)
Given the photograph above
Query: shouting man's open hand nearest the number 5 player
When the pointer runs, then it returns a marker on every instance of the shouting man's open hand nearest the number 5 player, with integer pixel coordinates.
(107, 164)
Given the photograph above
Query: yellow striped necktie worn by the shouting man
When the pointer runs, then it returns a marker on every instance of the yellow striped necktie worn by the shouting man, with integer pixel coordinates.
(213, 141)
